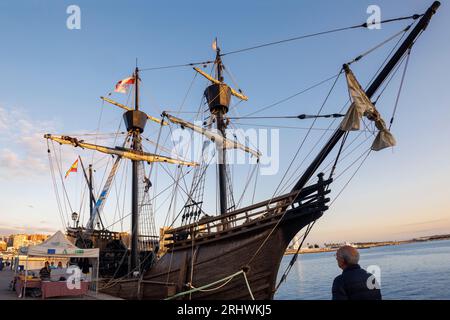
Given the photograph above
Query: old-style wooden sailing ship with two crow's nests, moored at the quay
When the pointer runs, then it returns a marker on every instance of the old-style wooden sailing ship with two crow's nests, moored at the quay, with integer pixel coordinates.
(237, 253)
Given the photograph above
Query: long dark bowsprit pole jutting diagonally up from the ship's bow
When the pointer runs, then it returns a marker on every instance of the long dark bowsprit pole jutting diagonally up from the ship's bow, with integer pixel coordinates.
(406, 45)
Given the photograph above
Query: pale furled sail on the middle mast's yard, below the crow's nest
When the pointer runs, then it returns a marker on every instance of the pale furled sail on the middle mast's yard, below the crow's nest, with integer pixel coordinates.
(213, 136)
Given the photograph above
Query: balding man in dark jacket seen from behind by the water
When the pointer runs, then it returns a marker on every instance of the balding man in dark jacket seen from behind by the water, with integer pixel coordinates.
(354, 283)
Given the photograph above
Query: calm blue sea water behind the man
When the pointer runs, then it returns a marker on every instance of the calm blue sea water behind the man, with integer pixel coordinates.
(409, 271)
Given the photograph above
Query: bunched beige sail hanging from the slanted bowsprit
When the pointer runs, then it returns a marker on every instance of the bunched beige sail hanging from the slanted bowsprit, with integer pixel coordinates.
(362, 106)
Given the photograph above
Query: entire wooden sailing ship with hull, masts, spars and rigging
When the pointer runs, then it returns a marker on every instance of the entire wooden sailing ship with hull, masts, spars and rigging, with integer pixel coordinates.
(236, 253)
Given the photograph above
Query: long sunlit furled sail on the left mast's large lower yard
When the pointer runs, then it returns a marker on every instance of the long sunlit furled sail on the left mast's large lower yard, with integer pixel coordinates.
(119, 151)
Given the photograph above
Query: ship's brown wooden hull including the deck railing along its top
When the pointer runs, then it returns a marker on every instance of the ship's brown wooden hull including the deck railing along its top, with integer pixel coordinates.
(233, 256)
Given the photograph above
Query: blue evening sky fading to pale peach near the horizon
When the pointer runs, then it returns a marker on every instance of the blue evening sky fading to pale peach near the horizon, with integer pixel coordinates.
(52, 78)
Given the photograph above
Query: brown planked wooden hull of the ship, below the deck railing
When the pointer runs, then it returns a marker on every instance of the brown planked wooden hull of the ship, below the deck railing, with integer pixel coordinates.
(257, 251)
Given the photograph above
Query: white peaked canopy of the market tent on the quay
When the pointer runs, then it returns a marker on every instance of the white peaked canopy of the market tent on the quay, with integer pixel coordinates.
(58, 246)
